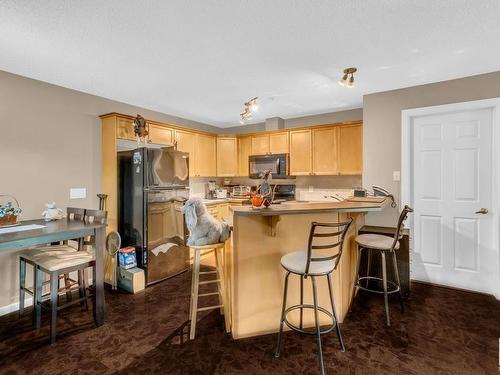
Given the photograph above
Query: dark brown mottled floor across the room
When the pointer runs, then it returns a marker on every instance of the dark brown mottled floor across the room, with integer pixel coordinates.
(443, 331)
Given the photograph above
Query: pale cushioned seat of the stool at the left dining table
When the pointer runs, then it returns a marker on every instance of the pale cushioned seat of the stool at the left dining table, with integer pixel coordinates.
(54, 260)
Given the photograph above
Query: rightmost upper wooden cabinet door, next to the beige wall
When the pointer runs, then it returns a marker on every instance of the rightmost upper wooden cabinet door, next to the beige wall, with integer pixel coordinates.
(350, 149)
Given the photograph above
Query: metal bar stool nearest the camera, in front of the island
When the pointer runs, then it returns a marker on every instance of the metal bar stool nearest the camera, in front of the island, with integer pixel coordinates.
(310, 264)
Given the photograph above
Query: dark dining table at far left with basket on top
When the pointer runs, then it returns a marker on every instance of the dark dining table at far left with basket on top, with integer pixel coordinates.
(61, 230)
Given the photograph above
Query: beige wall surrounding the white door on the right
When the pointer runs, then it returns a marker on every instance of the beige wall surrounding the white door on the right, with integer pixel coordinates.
(382, 126)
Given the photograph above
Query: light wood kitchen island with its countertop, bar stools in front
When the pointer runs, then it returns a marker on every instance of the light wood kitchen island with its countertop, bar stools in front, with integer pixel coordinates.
(261, 238)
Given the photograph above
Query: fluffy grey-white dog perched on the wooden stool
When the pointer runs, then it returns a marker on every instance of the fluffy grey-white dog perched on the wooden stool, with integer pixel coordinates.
(204, 228)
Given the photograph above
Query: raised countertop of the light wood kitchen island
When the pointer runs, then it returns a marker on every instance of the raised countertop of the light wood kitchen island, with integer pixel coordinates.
(290, 208)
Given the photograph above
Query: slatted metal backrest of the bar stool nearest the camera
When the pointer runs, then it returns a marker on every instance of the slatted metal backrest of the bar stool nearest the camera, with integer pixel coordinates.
(341, 230)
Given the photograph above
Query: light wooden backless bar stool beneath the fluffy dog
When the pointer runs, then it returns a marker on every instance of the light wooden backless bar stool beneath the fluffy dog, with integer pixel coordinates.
(218, 251)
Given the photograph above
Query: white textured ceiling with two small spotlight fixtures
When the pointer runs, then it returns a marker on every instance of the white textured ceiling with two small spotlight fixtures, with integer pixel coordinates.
(201, 59)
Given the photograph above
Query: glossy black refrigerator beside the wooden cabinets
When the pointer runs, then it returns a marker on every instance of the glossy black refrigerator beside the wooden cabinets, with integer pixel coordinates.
(153, 184)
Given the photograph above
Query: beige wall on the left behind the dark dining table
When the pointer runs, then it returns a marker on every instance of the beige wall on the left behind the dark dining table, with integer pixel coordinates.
(49, 142)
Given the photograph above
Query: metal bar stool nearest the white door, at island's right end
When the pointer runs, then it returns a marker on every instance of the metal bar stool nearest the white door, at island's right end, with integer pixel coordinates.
(384, 245)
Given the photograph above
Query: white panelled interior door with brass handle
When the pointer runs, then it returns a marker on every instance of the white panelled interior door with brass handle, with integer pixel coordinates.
(452, 181)
